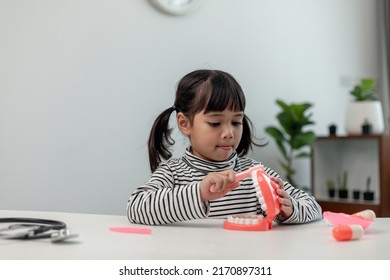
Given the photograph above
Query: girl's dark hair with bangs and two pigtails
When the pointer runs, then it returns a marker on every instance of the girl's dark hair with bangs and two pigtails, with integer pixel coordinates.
(200, 90)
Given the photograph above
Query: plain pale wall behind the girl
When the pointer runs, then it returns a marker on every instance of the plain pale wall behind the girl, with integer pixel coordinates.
(82, 80)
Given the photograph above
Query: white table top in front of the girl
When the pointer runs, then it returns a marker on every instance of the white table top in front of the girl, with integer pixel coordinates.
(196, 240)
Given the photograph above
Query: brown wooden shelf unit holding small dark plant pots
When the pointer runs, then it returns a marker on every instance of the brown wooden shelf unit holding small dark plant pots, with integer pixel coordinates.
(360, 156)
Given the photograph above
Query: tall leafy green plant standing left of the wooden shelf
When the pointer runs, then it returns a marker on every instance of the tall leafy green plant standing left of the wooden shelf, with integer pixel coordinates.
(291, 138)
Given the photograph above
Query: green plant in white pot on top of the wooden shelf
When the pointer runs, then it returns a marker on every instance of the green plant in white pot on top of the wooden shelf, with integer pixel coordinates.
(364, 108)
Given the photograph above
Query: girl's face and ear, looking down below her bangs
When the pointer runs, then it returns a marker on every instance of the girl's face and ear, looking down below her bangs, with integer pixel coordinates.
(213, 136)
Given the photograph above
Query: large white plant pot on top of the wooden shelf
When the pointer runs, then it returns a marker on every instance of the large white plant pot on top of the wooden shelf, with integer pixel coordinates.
(359, 112)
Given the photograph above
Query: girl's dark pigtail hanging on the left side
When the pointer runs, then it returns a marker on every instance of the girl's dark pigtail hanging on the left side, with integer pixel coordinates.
(160, 139)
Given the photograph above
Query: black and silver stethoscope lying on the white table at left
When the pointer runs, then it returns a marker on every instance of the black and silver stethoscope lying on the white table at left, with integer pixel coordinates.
(32, 228)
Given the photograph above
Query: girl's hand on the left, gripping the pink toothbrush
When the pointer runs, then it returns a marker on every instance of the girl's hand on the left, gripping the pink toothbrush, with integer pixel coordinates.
(217, 184)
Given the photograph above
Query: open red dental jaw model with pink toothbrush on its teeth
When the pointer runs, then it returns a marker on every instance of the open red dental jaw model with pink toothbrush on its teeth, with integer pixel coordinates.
(268, 199)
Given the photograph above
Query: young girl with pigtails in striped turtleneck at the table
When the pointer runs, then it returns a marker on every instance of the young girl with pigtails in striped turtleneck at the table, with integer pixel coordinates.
(209, 108)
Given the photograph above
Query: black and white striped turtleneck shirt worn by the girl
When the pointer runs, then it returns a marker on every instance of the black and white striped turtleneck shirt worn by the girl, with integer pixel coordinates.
(172, 194)
